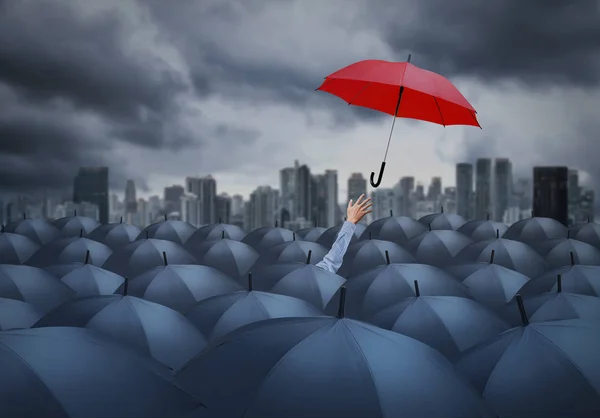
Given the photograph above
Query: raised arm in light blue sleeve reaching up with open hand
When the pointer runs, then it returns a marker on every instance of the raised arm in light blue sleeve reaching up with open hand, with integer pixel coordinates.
(355, 212)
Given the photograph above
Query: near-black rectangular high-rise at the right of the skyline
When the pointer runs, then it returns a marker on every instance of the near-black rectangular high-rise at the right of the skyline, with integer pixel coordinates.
(551, 193)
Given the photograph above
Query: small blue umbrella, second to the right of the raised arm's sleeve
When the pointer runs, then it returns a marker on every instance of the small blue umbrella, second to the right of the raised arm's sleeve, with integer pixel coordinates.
(437, 248)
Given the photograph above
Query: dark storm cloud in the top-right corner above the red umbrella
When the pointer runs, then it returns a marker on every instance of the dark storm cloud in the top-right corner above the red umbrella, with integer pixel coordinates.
(540, 42)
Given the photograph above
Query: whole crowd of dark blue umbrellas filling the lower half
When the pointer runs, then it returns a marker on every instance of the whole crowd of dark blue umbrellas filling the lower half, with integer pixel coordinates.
(436, 317)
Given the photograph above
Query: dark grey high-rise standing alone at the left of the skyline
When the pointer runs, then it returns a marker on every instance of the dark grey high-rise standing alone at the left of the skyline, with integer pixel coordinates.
(91, 186)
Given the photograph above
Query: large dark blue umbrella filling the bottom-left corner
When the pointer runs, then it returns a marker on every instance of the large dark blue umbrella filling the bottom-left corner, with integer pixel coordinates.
(76, 373)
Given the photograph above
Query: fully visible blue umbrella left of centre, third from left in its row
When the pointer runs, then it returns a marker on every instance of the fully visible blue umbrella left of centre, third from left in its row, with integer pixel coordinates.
(181, 286)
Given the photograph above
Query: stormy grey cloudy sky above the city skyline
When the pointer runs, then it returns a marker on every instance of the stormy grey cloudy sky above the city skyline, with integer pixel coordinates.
(160, 90)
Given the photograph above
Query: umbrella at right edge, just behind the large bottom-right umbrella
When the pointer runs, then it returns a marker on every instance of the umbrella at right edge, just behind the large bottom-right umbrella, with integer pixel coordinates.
(554, 306)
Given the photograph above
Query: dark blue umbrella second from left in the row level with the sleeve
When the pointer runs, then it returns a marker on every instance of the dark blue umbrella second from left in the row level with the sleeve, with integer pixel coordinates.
(70, 250)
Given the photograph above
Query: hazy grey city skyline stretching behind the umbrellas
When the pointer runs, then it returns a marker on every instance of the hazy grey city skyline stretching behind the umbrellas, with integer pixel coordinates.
(484, 190)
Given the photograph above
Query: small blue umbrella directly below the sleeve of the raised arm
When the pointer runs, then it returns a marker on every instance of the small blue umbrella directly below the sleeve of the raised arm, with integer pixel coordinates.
(307, 282)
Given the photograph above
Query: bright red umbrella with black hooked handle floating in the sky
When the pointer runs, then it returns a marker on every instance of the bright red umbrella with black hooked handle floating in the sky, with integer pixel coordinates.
(402, 90)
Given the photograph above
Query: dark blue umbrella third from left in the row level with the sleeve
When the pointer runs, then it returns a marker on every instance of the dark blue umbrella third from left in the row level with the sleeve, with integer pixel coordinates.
(141, 256)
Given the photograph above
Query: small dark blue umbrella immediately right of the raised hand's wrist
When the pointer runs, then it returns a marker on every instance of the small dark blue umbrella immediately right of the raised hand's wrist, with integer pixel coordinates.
(398, 229)
